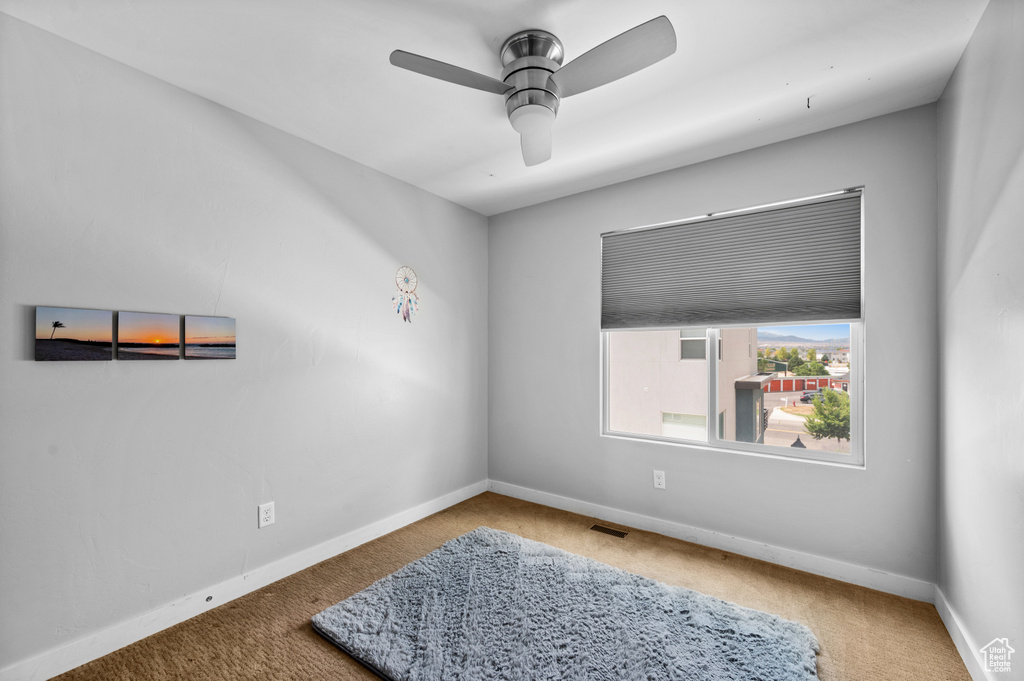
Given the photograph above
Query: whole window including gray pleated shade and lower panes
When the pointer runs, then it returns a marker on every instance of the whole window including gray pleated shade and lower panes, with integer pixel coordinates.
(786, 378)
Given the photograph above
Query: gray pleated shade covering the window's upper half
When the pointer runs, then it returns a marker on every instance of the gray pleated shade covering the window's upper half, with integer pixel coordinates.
(797, 263)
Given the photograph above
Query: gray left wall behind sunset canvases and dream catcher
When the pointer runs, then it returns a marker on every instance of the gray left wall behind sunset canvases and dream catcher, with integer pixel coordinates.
(126, 486)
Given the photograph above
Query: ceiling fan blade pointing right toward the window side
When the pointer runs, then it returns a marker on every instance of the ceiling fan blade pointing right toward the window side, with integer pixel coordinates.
(626, 54)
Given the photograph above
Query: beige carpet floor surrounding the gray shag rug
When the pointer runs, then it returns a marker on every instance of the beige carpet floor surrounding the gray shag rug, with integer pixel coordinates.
(865, 635)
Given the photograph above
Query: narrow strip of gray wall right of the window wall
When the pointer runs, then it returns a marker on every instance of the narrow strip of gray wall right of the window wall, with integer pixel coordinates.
(982, 300)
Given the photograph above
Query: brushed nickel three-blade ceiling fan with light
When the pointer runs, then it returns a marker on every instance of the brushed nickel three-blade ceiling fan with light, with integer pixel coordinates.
(534, 80)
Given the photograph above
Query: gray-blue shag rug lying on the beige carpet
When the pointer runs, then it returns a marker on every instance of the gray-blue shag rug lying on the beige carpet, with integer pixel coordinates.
(491, 606)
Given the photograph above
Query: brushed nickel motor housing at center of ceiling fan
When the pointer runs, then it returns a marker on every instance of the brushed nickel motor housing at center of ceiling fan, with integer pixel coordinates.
(530, 58)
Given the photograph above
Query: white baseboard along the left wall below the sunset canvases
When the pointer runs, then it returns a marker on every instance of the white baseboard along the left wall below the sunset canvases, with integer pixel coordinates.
(70, 656)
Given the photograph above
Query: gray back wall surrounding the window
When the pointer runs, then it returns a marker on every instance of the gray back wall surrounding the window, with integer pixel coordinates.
(545, 373)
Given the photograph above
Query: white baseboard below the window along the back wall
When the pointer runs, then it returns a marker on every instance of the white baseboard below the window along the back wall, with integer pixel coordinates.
(837, 570)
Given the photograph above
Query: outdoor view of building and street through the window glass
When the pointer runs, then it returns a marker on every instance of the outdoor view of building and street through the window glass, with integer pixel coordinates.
(782, 387)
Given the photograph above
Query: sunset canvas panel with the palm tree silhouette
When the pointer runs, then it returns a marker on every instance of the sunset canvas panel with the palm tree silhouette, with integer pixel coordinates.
(74, 334)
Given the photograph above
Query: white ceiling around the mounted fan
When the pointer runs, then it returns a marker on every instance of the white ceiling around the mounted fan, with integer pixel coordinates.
(741, 78)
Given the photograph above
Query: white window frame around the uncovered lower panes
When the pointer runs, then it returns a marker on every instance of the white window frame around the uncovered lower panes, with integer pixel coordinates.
(856, 459)
